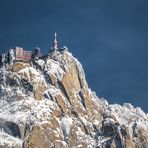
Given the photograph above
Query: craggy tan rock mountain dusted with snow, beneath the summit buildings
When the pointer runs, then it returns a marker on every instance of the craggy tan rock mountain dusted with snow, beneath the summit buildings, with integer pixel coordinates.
(47, 103)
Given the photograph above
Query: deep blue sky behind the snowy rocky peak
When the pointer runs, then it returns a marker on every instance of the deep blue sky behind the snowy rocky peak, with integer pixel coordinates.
(108, 37)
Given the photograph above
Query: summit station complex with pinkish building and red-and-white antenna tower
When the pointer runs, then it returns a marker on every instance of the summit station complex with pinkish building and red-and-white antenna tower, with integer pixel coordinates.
(19, 54)
